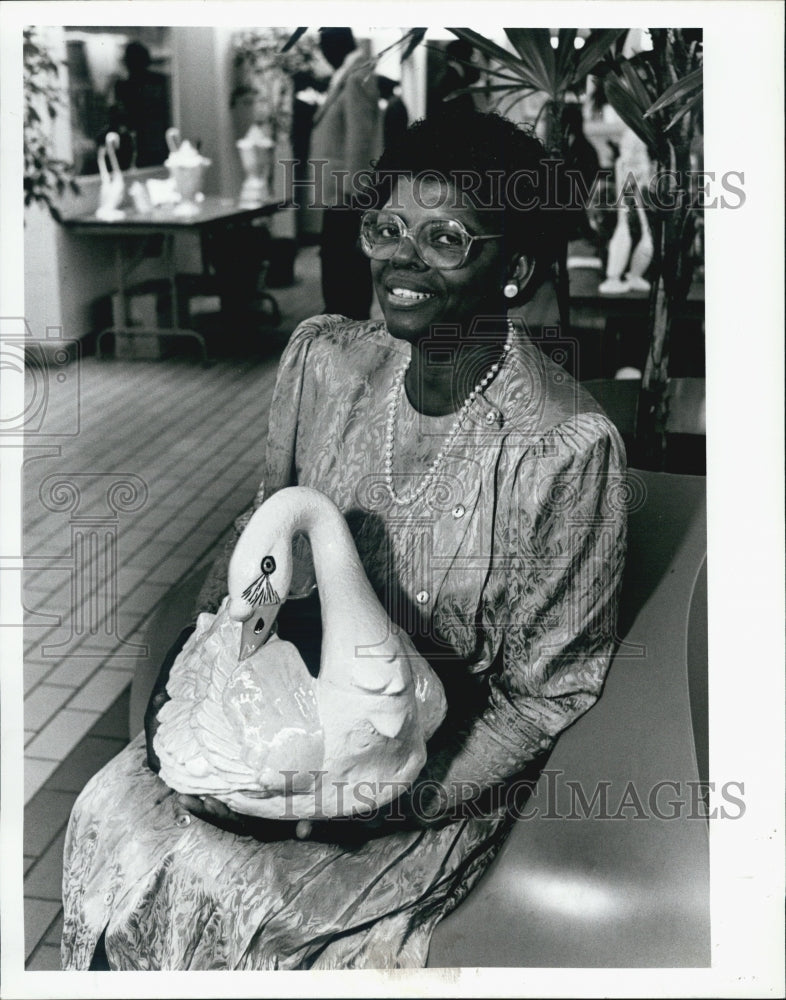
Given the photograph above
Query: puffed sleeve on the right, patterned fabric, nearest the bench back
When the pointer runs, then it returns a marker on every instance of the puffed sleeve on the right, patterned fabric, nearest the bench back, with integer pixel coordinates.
(564, 541)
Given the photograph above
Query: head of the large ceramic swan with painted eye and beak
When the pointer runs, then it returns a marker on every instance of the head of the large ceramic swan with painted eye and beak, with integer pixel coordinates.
(260, 574)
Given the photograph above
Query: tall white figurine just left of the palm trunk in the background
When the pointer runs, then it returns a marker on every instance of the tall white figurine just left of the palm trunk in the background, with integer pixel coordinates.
(633, 172)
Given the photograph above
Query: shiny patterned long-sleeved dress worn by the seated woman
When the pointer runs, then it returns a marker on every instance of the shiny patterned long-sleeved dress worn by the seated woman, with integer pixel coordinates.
(505, 572)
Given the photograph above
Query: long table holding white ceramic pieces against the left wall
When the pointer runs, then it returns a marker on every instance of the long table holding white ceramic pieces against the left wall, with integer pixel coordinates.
(214, 215)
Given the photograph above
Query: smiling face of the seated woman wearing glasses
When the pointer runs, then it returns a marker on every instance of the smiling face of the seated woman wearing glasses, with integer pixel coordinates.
(440, 296)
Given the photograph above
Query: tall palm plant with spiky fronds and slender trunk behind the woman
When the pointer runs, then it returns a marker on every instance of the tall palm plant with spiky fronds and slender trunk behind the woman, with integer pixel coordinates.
(657, 93)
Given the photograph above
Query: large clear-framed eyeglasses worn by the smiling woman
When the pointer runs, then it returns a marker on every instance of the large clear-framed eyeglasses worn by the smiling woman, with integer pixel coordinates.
(441, 243)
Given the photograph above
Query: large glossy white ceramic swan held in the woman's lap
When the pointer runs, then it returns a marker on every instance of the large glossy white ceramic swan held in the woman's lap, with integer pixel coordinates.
(250, 731)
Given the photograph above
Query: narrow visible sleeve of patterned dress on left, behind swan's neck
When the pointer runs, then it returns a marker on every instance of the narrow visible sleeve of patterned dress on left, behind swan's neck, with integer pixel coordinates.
(278, 470)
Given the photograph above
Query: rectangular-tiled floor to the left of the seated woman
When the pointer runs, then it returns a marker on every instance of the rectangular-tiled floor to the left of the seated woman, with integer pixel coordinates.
(117, 511)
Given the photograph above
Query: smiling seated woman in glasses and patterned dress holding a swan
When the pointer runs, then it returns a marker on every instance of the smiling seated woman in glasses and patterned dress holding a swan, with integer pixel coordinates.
(479, 483)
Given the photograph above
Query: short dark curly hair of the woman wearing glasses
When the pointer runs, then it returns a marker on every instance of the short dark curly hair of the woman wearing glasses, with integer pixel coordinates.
(503, 168)
